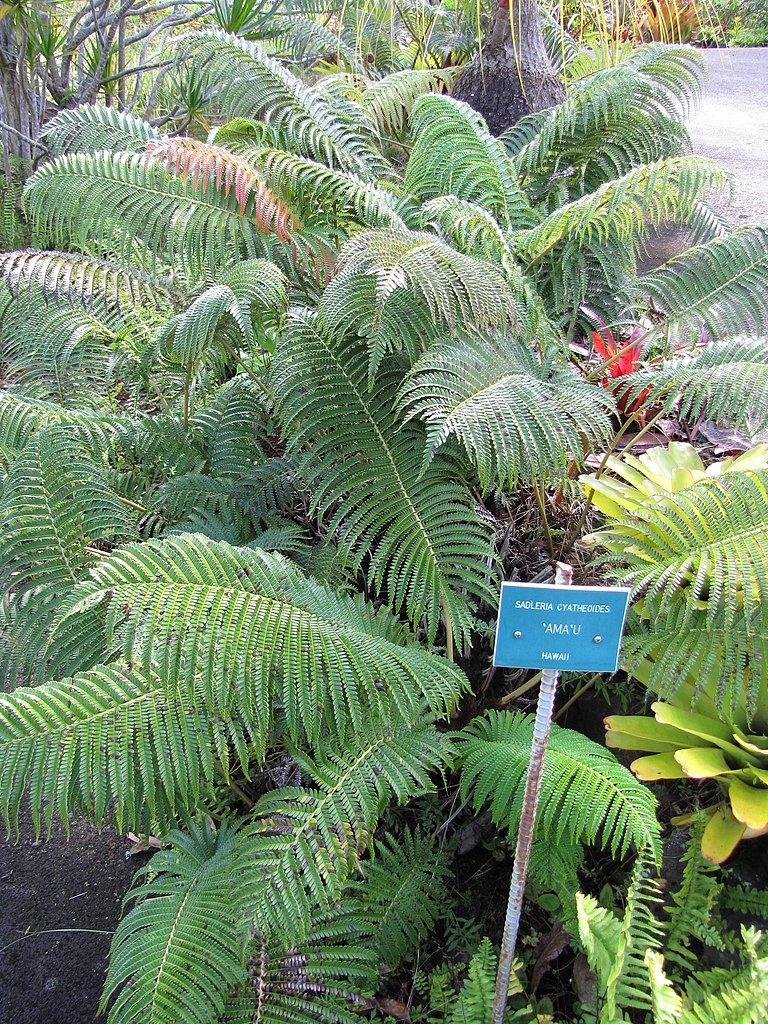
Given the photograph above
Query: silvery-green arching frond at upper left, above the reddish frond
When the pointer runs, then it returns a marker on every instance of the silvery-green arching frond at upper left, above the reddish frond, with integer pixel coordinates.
(248, 83)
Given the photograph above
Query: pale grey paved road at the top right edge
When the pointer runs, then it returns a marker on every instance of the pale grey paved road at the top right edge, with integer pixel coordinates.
(732, 127)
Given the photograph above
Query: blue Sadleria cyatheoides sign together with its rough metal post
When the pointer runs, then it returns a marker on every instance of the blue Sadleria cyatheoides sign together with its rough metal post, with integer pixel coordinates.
(578, 629)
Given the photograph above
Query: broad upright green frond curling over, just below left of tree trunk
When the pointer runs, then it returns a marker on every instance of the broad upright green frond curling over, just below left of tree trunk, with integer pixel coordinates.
(454, 153)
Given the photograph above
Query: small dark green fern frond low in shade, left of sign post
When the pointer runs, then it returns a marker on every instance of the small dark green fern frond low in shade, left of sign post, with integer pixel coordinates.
(405, 892)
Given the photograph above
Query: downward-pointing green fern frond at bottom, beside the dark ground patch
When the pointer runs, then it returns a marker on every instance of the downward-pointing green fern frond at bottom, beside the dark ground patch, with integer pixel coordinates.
(181, 951)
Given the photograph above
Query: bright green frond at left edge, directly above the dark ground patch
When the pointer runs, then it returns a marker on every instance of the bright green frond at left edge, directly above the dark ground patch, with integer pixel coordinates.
(112, 741)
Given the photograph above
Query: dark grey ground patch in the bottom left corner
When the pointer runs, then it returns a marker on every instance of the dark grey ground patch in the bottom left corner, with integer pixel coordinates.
(57, 977)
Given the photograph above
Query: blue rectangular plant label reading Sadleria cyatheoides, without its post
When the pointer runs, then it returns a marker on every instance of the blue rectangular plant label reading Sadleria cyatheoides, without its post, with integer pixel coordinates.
(572, 629)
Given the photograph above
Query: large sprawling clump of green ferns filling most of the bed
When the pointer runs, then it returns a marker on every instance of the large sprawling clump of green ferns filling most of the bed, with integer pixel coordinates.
(248, 511)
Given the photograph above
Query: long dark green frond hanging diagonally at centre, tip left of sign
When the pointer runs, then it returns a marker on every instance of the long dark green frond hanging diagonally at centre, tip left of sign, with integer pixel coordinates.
(416, 534)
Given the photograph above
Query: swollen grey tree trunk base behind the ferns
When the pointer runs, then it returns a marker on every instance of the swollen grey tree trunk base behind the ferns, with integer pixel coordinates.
(513, 76)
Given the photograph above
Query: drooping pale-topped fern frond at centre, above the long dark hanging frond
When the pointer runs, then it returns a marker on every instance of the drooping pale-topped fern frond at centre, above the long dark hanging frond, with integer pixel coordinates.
(400, 289)
